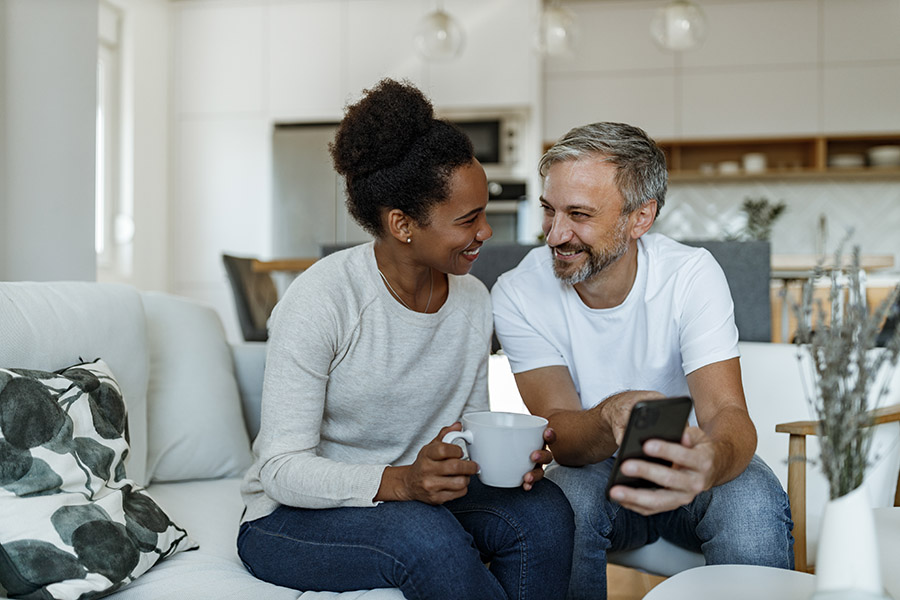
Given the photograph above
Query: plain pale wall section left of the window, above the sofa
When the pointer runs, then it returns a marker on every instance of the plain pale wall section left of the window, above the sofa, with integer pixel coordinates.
(48, 107)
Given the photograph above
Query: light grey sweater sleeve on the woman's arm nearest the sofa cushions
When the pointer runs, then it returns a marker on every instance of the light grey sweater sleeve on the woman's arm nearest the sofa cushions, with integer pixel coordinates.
(306, 333)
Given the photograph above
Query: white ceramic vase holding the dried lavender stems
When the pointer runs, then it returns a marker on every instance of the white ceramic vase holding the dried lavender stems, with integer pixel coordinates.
(847, 562)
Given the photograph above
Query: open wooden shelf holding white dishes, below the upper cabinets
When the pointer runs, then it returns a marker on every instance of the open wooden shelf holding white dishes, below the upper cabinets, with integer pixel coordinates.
(798, 157)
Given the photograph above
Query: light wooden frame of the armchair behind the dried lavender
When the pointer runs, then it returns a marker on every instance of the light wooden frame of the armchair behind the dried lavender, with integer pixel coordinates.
(796, 488)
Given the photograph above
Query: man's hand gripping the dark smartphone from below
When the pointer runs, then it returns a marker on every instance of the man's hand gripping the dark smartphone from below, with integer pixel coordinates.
(691, 473)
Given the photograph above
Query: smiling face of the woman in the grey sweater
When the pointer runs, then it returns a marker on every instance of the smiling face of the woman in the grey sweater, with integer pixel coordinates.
(458, 226)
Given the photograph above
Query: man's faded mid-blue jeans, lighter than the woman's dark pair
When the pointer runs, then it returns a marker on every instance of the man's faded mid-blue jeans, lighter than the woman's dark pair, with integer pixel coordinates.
(744, 521)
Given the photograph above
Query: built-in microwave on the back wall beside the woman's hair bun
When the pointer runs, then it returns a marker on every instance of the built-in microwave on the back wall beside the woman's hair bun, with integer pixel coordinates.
(496, 140)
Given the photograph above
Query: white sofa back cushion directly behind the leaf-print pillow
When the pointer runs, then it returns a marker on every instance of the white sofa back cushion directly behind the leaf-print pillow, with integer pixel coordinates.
(49, 326)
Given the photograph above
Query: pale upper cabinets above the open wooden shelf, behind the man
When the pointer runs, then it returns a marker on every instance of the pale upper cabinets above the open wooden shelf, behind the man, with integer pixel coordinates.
(768, 69)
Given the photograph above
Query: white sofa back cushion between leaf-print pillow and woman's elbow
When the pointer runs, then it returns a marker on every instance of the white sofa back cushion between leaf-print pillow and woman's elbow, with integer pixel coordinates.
(196, 429)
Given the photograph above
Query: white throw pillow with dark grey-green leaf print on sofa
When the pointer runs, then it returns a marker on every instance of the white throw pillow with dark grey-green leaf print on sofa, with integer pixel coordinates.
(72, 526)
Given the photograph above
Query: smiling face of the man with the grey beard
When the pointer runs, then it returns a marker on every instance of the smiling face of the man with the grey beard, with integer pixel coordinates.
(583, 221)
